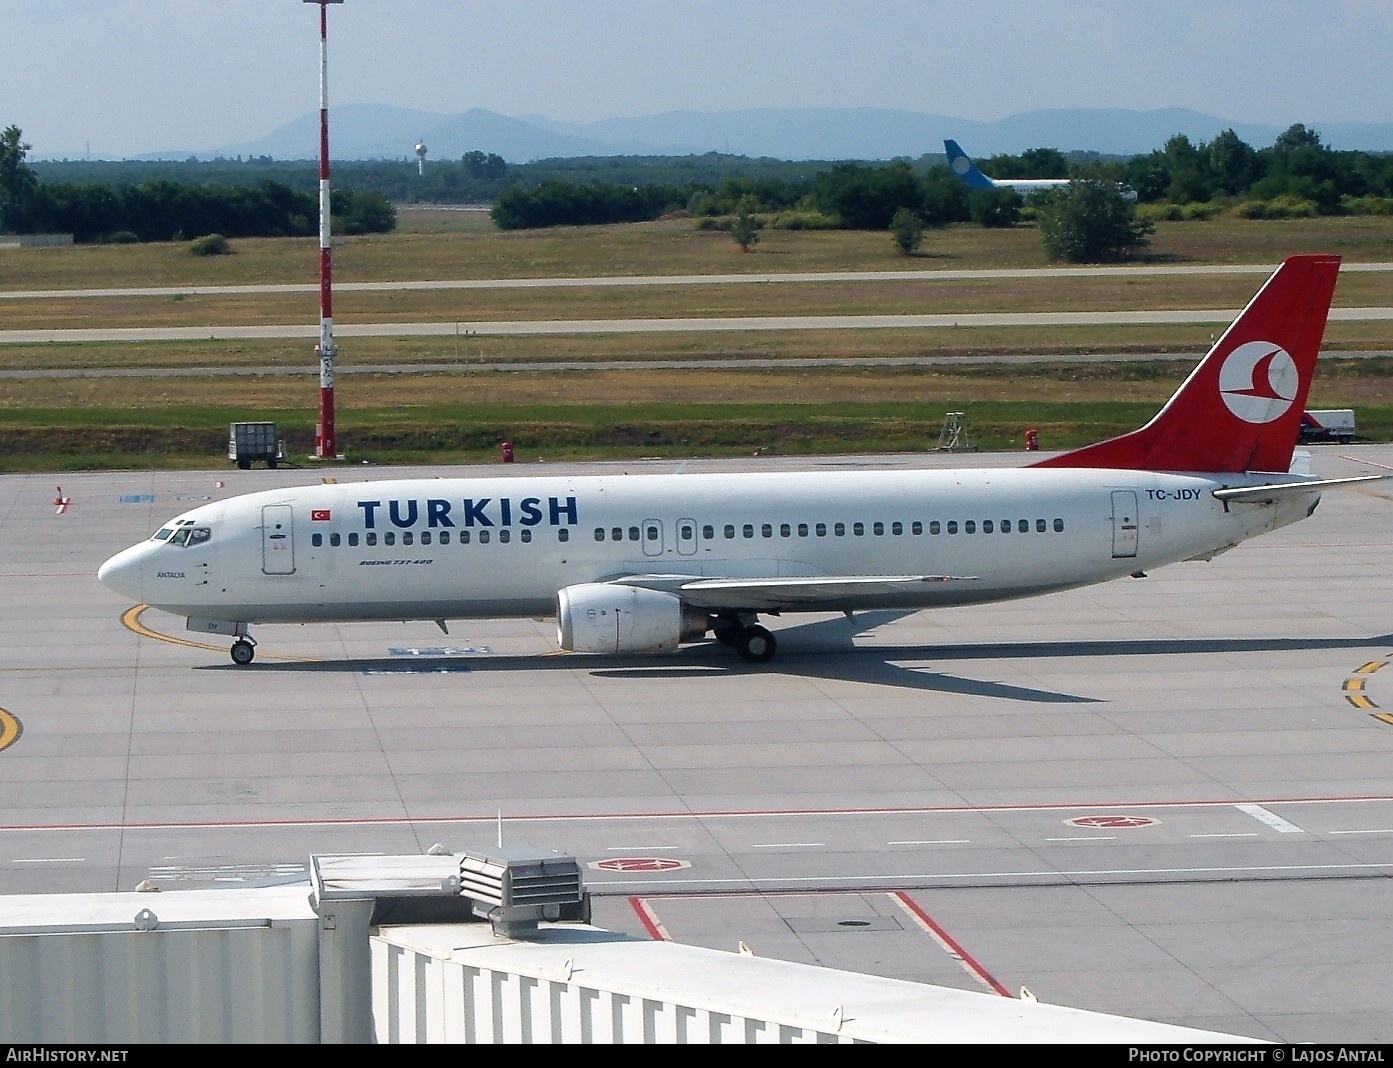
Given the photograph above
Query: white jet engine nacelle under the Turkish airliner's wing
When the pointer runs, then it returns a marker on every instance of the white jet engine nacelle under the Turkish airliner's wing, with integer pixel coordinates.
(601, 618)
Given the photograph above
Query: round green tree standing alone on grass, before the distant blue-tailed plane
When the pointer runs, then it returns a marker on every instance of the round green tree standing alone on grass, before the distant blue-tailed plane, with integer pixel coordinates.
(1090, 222)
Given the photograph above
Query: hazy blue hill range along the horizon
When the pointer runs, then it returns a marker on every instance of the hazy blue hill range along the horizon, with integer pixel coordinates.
(380, 132)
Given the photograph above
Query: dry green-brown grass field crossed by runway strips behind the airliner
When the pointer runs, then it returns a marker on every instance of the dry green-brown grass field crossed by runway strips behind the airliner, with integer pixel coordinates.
(458, 411)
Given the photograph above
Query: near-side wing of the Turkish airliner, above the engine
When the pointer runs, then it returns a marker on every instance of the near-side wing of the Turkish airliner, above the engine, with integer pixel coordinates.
(772, 594)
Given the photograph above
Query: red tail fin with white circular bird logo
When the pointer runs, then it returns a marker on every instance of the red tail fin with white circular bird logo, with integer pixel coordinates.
(1240, 410)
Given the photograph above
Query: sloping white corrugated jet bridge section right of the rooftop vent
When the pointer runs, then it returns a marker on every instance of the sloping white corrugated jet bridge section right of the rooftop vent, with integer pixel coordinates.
(575, 984)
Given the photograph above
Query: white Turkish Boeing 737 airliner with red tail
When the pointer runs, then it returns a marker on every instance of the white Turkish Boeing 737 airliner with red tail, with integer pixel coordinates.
(644, 563)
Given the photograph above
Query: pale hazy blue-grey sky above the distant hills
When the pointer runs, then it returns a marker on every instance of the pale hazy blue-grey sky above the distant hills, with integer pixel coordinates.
(127, 77)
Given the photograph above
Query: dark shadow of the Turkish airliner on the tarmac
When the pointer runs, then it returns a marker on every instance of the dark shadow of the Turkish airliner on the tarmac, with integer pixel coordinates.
(827, 650)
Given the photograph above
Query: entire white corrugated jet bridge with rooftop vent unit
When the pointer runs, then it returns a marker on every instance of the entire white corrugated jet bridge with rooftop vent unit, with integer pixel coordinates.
(392, 950)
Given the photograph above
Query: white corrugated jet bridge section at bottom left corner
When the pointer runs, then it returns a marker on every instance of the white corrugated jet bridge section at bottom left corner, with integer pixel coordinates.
(211, 967)
